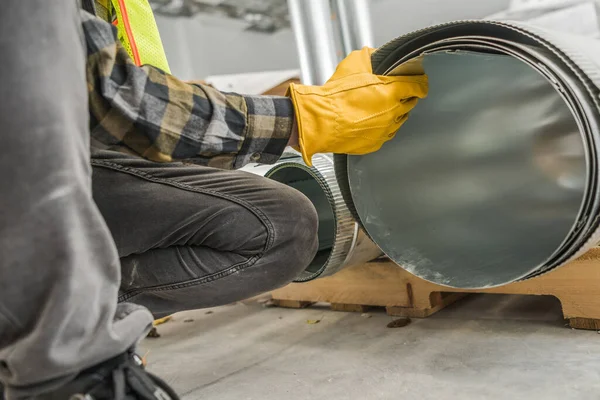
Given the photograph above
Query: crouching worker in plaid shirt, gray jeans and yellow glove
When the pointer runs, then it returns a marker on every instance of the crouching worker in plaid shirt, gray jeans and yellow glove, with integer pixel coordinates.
(152, 220)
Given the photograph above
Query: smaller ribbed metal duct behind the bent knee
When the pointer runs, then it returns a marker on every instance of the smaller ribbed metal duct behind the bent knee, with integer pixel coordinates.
(341, 241)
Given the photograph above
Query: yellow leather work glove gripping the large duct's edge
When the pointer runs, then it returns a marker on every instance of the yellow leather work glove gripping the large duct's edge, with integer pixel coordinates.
(356, 111)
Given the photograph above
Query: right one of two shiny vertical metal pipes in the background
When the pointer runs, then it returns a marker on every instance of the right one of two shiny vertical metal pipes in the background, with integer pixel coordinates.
(354, 18)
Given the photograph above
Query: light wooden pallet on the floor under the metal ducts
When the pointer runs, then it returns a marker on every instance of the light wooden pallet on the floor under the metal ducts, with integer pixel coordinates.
(384, 284)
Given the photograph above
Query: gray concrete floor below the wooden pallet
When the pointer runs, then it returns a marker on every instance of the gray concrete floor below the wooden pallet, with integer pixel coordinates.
(483, 347)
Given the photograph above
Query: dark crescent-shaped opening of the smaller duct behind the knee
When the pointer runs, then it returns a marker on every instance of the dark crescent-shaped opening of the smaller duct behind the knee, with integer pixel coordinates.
(303, 179)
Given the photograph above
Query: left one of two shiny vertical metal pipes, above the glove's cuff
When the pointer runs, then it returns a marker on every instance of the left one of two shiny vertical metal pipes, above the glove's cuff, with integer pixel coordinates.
(311, 22)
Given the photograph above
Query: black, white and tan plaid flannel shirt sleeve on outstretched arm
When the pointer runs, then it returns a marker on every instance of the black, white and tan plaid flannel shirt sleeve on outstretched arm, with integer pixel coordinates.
(157, 116)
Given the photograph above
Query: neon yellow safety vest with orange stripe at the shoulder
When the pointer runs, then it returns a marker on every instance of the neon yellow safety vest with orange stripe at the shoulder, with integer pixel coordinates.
(137, 29)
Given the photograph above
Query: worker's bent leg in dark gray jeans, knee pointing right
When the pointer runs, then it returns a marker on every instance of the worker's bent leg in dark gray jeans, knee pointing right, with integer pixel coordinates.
(193, 237)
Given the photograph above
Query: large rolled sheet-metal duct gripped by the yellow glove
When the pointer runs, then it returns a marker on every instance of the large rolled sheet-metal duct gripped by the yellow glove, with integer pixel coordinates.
(494, 177)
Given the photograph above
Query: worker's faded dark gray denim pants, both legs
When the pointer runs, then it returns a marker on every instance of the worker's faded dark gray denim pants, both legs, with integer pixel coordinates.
(187, 236)
